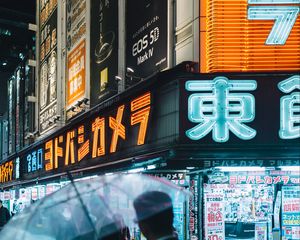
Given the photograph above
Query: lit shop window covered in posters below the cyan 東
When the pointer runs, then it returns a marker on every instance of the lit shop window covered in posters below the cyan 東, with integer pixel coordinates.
(247, 213)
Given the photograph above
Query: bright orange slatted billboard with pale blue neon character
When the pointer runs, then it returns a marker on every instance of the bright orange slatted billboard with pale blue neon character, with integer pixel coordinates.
(249, 35)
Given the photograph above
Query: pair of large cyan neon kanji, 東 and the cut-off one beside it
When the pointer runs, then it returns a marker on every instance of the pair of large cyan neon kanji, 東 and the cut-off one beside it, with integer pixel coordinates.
(221, 106)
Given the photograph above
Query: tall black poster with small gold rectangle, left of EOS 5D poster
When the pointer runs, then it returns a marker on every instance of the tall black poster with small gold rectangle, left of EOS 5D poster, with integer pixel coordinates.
(104, 49)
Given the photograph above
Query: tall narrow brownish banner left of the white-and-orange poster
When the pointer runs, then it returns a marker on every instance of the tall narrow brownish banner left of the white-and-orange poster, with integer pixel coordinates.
(48, 65)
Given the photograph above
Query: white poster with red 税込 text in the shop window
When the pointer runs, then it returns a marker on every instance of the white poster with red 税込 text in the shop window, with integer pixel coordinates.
(214, 215)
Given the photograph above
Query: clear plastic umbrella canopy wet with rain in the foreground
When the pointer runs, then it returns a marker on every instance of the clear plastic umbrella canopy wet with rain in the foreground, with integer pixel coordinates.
(89, 209)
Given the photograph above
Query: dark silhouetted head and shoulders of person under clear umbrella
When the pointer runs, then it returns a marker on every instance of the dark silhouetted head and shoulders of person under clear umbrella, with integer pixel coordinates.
(154, 212)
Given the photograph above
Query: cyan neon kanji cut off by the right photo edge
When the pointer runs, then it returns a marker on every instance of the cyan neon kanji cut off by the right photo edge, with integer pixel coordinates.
(290, 108)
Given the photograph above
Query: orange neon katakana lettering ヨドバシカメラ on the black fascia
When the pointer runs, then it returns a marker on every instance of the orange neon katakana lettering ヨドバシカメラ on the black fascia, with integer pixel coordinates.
(73, 146)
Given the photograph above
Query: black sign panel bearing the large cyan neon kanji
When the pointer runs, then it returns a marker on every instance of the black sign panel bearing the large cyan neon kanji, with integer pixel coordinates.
(235, 109)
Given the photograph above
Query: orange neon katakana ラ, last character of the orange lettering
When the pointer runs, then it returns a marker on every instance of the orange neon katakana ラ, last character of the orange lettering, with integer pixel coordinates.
(141, 108)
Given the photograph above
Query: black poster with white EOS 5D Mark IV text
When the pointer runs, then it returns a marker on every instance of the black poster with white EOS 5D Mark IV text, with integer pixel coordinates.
(146, 39)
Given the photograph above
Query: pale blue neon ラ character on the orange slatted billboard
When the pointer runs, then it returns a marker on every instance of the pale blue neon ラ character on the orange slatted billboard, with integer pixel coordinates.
(284, 16)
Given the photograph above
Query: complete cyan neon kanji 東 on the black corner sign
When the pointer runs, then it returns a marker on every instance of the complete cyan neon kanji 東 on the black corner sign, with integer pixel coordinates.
(219, 110)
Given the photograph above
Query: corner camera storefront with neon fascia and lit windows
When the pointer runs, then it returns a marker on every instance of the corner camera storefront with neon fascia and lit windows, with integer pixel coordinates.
(187, 126)
